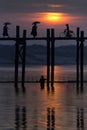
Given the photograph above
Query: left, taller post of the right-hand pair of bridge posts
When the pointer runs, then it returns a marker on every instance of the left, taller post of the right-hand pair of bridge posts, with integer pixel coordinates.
(77, 59)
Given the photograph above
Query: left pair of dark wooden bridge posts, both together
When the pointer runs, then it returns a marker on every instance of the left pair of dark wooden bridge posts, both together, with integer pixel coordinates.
(20, 51)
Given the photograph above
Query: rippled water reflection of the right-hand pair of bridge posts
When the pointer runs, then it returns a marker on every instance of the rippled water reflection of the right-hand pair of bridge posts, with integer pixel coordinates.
(80, 119)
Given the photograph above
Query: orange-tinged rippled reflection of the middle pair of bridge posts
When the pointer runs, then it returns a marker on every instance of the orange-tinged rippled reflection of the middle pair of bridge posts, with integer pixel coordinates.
(50, 118)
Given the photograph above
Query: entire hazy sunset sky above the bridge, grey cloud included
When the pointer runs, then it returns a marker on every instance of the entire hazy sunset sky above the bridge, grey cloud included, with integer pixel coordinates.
(24, 12)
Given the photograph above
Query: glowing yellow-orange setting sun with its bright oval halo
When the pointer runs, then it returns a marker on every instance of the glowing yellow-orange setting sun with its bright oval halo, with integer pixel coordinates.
(49, 19)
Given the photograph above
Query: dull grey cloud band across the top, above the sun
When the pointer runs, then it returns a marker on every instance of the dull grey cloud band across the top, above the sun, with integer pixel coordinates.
(78, 7)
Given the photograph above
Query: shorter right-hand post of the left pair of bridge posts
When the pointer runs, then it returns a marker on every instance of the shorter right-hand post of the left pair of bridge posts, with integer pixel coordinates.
(23, 60)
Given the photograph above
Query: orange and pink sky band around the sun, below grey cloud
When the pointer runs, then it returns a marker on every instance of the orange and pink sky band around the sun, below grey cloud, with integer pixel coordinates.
(56, 20)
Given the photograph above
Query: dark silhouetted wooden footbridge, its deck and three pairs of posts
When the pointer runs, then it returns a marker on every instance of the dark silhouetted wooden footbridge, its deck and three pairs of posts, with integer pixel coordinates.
(20, 55)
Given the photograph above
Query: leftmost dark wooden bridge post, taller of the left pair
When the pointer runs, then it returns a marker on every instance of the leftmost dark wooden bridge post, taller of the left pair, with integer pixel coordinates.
(16, 56)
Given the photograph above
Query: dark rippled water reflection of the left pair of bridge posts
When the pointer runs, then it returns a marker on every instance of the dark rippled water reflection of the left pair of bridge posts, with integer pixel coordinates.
(20, 118)
